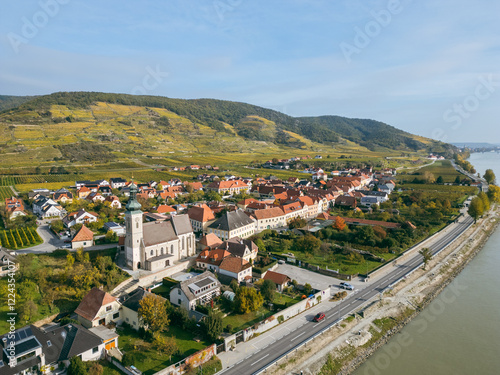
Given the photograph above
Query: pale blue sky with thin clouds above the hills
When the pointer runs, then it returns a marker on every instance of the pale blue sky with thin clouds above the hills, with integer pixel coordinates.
(428, 67)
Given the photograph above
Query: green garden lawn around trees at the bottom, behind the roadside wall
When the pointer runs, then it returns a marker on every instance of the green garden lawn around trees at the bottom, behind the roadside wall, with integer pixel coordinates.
(147, 359)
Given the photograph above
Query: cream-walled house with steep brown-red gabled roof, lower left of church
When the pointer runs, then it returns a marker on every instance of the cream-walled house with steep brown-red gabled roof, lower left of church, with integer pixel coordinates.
(98, 308)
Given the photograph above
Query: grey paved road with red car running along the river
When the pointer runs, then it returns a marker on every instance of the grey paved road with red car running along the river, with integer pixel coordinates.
(255, 363)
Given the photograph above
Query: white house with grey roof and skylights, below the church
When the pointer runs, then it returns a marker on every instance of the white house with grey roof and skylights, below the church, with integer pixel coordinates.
(199, 290)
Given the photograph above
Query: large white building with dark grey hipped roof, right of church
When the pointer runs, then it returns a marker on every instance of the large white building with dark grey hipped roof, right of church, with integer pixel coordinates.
(232, 224)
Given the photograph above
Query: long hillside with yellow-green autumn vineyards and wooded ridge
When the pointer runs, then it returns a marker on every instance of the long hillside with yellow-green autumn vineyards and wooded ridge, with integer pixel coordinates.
(62, 126)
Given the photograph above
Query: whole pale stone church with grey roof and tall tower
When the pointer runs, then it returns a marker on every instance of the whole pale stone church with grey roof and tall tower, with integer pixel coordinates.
(156, 245)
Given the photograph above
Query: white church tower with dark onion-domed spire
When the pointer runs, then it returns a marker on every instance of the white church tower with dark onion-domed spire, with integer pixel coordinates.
(133, 236)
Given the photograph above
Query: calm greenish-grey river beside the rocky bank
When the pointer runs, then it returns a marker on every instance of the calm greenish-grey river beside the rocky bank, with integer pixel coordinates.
(459, 332)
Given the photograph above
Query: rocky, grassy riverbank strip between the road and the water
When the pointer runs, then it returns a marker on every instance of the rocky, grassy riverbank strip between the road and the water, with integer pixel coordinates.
(342, 349)
